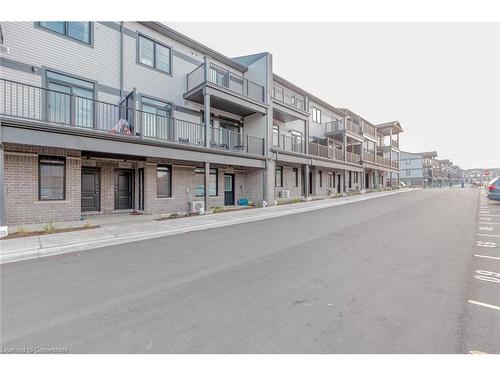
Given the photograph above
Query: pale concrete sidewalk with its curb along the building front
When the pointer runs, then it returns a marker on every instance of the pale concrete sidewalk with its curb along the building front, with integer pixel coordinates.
(128, 228)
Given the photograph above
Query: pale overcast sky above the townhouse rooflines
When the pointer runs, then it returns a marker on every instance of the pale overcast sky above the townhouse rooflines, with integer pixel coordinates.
(440, 80)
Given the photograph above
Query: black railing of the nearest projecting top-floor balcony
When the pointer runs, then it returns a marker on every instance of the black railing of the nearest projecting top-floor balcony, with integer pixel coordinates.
(225, 78)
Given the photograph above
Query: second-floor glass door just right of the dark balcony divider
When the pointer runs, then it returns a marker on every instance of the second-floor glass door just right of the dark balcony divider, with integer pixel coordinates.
(156, 119)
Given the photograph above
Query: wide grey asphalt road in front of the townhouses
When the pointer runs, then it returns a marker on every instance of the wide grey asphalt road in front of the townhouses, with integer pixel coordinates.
(389, 275)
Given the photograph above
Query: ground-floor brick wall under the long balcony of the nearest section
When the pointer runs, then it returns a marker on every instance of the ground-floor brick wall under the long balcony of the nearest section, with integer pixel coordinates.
(22, 205)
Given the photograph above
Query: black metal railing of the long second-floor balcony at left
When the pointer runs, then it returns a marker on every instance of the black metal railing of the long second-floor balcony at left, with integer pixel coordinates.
(27, 102)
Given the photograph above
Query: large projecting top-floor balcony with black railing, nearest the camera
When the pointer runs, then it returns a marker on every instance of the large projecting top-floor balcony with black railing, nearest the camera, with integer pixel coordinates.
(230, 92)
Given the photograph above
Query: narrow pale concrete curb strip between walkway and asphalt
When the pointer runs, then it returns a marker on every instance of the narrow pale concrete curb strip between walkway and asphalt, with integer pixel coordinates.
(88, 245)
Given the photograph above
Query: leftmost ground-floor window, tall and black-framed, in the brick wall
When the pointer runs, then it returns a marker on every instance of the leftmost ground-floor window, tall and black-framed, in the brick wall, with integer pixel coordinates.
(51, 178)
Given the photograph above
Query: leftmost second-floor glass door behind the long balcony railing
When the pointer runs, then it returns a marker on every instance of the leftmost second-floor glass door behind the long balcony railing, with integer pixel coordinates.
(70, 100)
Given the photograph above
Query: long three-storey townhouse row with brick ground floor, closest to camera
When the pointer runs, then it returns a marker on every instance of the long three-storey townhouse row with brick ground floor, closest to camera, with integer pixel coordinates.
(99, 118)
